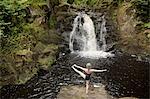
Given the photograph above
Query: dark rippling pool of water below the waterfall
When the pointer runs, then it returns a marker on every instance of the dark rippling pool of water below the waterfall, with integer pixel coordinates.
(126, 76)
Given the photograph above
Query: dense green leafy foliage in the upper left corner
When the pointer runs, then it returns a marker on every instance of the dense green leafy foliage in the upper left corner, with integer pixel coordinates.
(12, 18)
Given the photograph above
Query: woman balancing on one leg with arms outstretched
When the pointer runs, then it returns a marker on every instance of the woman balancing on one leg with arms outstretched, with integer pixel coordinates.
(87, 73)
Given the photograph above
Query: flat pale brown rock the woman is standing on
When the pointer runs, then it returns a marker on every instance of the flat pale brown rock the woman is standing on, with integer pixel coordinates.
(78, 92)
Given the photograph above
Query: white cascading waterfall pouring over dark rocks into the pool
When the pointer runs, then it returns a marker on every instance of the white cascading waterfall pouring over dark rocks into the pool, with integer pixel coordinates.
(83, 36)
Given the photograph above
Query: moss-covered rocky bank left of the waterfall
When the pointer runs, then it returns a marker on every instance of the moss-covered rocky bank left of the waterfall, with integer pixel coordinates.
(30, 44)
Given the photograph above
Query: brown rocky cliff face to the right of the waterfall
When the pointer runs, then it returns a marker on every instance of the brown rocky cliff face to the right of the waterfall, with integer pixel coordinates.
(132, 38)
